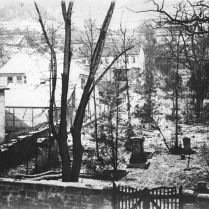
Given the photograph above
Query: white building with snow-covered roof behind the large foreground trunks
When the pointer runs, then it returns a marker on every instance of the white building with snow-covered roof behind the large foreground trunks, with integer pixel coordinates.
(27, 101)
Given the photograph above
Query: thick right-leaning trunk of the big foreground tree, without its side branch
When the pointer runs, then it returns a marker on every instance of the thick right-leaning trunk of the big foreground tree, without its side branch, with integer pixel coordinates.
(78, 122)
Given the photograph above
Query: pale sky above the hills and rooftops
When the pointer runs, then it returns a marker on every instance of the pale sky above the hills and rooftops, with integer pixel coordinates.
(97, 9)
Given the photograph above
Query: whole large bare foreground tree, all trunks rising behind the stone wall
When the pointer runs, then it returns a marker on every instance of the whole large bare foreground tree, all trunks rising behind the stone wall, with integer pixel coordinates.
(71, 173)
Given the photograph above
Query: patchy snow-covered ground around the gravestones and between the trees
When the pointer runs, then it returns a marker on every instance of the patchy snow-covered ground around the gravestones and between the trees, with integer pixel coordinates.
(165, 169)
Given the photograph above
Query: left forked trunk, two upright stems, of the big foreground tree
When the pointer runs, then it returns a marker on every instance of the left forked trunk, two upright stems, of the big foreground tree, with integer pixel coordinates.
(61, 134)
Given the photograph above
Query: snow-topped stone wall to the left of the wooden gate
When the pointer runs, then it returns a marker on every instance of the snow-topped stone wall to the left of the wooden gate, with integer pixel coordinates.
(51, 195)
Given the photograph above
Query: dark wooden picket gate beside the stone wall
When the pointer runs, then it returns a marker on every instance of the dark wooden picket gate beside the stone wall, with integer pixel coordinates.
(156, 198)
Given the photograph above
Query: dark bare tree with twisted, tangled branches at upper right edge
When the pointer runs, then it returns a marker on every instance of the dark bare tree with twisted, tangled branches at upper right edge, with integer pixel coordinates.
(192, 19)
